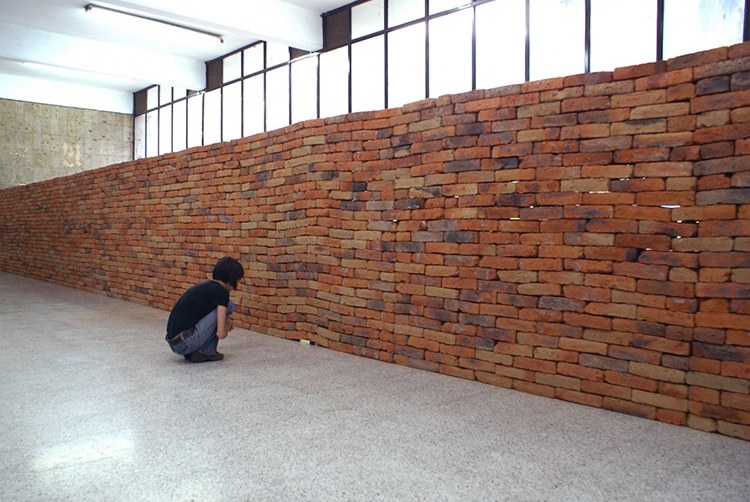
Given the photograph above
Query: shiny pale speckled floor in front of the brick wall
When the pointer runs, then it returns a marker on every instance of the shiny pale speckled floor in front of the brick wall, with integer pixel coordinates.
(95, 407)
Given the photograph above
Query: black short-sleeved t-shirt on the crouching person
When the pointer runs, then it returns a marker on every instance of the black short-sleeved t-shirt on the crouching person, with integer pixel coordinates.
(194, 305)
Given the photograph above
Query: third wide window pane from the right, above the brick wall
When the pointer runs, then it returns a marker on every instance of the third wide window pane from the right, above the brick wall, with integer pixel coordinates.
(556, 38)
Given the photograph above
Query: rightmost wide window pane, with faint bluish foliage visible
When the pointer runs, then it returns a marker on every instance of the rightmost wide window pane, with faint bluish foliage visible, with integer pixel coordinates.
(696, 25)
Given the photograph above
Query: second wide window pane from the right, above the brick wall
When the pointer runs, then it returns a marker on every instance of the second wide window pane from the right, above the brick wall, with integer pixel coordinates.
(612, 26)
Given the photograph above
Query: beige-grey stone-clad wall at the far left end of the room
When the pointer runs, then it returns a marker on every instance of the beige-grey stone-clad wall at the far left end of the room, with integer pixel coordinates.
(39, 142)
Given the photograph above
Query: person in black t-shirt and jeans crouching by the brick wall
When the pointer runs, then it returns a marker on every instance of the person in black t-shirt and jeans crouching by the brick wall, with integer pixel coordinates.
(201, 317)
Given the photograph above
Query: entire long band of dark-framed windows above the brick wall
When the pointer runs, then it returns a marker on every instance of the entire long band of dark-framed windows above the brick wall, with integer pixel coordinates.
(387, 53)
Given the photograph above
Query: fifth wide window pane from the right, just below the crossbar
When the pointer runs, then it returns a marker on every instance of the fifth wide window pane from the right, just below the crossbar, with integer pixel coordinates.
(450, 53)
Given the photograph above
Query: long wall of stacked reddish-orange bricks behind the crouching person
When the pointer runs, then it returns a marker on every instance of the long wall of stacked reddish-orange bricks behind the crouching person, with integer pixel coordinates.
(585, 238)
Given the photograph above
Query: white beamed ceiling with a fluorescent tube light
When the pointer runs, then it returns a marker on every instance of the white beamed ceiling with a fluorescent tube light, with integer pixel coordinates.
(92, 63)
